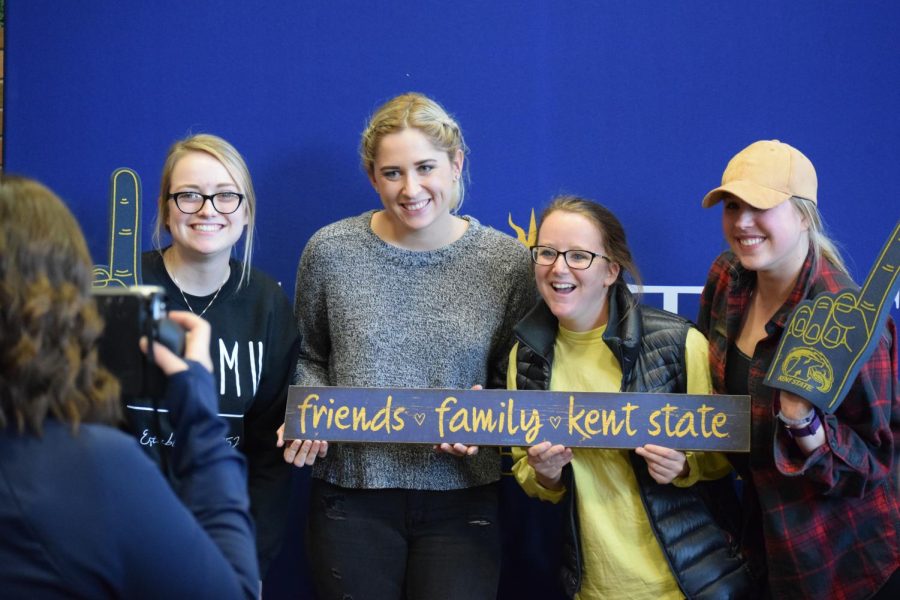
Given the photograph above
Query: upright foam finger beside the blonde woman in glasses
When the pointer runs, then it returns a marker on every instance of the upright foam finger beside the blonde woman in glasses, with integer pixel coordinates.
(124, 267)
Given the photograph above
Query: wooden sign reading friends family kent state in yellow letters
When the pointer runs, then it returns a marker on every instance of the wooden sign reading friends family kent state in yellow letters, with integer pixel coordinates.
(518, 418)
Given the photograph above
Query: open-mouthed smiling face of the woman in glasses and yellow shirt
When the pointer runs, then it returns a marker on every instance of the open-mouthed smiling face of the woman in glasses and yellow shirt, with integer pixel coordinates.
(576, 297)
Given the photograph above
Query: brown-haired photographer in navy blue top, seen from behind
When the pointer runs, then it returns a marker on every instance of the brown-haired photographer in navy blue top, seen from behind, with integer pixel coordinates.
(83, 512)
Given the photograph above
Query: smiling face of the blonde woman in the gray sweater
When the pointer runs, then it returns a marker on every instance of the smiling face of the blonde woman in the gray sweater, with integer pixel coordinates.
(416, 183)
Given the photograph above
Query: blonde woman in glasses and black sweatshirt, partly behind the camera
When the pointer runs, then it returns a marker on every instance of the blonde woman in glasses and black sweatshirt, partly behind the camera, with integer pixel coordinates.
(207, 205)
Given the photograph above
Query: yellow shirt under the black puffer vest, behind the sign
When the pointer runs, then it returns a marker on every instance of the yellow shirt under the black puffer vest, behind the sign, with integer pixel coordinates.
(622, 558)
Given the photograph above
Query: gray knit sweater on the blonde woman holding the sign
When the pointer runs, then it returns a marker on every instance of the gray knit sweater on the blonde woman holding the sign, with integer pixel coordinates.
(374, 315)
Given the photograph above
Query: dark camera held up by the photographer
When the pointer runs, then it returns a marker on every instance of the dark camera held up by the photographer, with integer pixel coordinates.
(131, 313)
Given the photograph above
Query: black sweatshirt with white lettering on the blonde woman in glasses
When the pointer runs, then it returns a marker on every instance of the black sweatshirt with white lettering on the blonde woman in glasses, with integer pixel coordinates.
(254, 347)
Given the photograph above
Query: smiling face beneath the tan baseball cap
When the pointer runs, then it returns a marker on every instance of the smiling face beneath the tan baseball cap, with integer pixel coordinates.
(773, 241)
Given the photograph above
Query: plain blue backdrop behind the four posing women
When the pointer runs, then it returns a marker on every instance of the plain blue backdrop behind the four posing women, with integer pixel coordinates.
(637, 104)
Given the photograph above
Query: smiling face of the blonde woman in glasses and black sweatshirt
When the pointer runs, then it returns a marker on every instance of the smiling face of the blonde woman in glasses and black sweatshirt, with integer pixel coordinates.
(206, 233)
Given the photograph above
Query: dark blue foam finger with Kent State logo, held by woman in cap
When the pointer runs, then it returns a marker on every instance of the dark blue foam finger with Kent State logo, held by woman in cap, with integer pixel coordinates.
(828, 339)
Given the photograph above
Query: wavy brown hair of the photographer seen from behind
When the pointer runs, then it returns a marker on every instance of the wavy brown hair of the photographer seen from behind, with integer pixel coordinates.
(48, 321)
